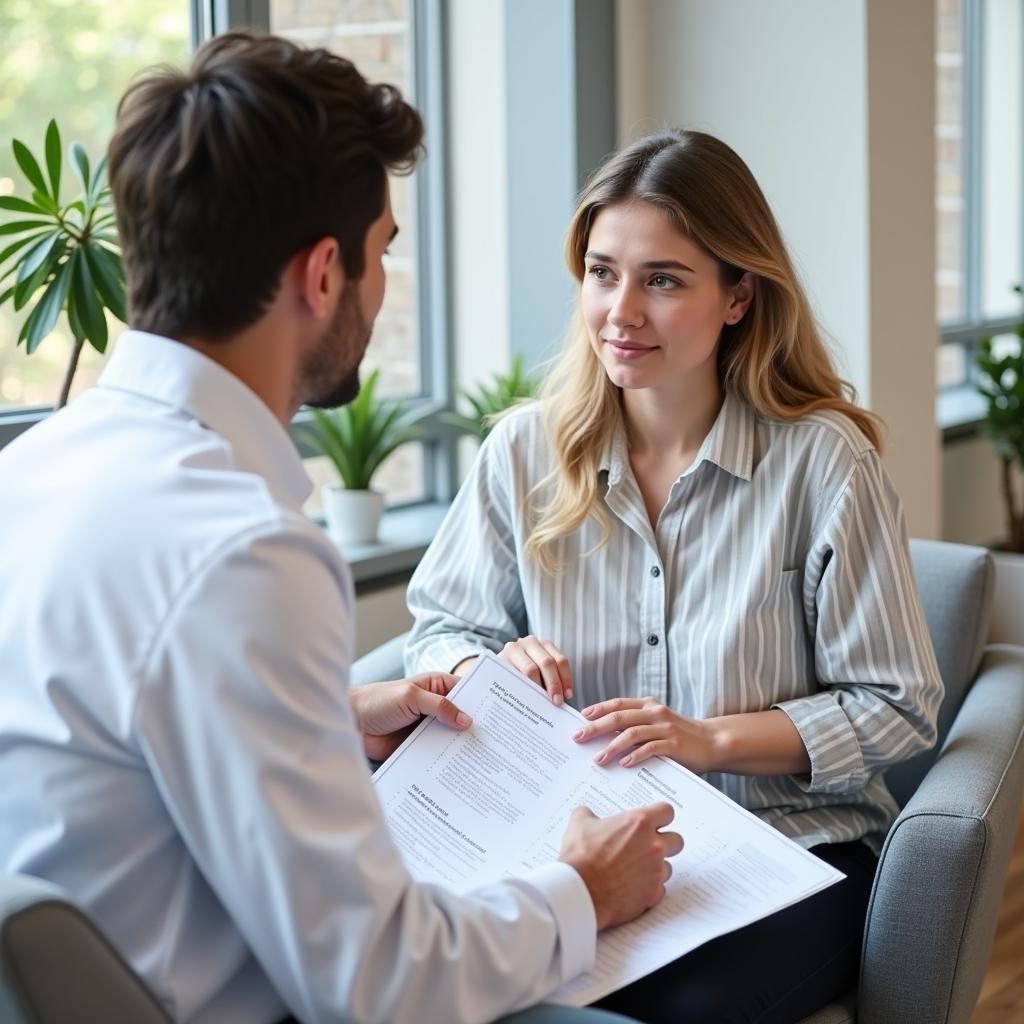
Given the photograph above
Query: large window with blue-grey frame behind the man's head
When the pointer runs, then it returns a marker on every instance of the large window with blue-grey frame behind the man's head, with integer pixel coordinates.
(104, 44)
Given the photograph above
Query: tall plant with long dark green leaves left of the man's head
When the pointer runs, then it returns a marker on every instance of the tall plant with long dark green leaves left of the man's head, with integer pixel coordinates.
(64, 257)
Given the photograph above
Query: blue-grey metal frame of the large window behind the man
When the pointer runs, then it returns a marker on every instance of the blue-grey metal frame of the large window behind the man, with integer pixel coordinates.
(437, 358)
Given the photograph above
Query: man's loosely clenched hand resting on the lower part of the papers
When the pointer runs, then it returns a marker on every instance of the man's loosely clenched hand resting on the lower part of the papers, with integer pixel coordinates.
(622, 860)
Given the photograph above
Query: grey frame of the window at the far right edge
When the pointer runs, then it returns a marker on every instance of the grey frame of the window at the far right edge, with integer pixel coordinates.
(960, 407)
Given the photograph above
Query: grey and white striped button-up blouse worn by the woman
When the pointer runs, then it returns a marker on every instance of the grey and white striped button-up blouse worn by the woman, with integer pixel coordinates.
(778, 577)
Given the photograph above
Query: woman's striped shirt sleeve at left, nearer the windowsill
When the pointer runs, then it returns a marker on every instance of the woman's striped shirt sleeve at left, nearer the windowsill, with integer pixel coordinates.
(466, 595)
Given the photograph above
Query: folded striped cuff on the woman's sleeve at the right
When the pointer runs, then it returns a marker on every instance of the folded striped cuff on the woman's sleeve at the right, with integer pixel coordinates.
(837, 761)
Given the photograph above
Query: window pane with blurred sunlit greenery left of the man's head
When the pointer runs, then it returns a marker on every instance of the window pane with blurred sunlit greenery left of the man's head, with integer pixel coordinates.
(72, 62)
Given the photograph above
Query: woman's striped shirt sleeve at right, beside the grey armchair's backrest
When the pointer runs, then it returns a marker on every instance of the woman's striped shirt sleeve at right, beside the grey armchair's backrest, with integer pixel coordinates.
(881, 688)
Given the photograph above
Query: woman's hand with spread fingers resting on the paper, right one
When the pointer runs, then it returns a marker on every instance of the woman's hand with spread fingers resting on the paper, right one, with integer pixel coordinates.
(648, 729)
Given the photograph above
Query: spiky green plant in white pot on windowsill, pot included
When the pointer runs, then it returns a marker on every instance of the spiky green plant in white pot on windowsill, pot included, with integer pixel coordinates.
(358, 439)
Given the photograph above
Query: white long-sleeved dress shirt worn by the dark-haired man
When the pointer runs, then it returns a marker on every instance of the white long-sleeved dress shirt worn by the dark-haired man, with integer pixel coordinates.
(177, 746)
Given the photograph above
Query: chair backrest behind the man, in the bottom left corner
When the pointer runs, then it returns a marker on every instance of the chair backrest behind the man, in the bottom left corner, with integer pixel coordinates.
(57, 967)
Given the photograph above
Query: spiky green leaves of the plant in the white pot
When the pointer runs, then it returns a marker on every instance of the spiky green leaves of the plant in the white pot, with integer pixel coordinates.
(360, 437)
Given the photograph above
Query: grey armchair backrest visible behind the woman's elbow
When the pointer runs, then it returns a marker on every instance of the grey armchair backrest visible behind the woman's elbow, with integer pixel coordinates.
(956, 583)
